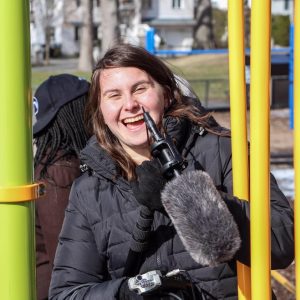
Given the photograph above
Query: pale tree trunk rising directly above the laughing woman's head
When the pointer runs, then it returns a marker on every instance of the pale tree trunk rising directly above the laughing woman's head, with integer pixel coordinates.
(109, 24)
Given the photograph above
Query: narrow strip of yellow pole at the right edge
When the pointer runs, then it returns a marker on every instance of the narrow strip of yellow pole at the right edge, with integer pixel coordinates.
(297, 139)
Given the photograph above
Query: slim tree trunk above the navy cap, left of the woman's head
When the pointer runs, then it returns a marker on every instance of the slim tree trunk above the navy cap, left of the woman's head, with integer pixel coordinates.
(85, 62)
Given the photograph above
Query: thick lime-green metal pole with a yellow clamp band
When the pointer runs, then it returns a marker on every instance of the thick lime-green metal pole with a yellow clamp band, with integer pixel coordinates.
(17, 253)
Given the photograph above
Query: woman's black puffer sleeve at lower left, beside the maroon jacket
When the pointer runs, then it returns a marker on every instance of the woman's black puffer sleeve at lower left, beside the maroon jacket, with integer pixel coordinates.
(80, 270)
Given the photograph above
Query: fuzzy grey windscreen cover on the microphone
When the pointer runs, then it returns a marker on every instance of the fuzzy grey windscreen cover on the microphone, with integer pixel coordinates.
(201, 218)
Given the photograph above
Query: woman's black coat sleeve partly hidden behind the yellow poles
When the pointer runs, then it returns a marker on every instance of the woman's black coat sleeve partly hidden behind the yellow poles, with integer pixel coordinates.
(282, 222)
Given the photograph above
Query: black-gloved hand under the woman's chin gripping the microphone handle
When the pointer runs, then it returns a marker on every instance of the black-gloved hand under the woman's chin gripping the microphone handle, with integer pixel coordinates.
(149, 184)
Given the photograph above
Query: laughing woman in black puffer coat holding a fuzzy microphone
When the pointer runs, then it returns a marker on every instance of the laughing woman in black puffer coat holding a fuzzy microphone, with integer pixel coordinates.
(199, 229)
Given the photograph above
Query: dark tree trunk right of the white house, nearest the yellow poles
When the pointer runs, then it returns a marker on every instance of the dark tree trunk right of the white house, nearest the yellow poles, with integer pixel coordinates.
(203, 30)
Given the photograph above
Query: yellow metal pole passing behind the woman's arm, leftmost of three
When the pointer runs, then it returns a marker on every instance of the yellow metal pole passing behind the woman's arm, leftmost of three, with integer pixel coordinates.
(238, 117)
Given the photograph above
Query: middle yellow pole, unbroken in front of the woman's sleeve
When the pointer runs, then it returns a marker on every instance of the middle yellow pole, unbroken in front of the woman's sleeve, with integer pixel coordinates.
(259, 149)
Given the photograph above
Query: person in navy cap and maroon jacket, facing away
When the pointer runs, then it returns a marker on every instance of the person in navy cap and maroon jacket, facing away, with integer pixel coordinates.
(59, 135)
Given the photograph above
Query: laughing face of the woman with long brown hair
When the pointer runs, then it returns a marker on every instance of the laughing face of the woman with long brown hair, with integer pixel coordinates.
(124, 91)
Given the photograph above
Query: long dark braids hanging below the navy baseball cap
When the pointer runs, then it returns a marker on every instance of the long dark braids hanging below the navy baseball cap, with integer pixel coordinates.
(66, 132)
